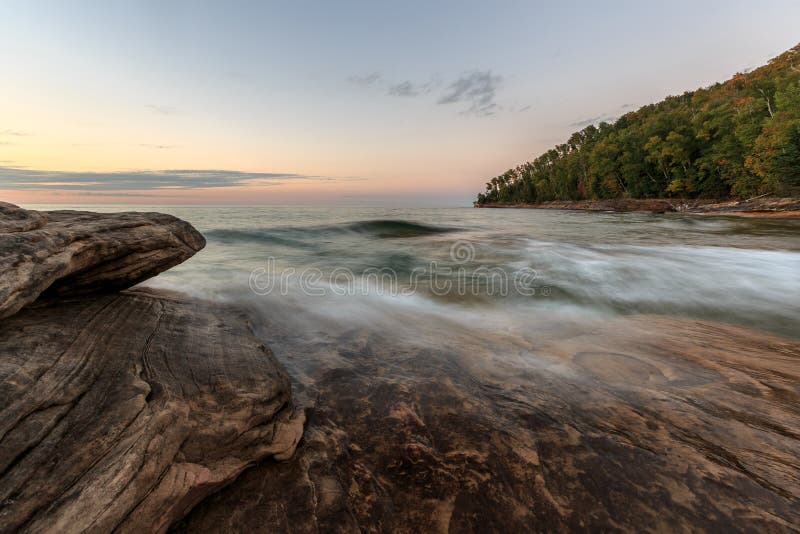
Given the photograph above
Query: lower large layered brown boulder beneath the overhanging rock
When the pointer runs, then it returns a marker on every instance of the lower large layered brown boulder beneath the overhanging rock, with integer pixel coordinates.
(121, 412)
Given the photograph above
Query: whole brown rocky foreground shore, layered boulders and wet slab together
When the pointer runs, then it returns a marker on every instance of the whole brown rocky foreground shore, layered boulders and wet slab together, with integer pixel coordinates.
(204, 413)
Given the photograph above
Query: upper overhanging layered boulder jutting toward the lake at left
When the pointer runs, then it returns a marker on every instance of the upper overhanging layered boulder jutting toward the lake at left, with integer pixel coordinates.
(73, 252)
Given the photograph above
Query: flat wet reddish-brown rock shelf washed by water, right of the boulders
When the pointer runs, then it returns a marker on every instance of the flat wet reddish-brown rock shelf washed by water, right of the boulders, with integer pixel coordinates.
(633, 424)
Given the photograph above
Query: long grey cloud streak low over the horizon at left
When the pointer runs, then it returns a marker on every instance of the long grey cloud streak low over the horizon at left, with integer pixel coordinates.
(178, 179)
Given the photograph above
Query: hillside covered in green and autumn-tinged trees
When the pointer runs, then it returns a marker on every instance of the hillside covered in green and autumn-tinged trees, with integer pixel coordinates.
(735, 139)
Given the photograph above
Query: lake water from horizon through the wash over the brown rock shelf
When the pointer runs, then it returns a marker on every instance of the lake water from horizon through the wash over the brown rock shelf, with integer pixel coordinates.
(571, 370)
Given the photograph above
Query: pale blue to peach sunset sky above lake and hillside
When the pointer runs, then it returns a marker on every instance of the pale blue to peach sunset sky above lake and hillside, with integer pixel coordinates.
(337, 103)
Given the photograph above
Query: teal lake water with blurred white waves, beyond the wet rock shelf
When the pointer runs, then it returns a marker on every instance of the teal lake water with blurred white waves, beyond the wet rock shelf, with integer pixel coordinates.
(434, 270)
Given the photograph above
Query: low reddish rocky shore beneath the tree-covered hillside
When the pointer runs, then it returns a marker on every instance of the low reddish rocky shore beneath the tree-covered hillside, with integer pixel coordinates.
(765, 207)
